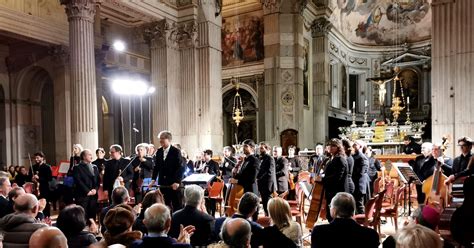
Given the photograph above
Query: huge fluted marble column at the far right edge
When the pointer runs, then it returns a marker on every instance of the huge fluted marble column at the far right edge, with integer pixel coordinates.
(452, 70)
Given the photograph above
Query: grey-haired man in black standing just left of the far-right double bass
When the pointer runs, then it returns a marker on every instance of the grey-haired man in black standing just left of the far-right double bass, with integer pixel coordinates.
(423, 166)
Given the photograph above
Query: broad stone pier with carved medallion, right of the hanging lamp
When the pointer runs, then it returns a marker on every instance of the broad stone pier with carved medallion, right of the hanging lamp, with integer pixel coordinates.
(284, 48)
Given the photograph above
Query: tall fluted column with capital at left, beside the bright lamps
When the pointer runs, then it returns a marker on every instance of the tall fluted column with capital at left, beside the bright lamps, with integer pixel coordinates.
(84, 127)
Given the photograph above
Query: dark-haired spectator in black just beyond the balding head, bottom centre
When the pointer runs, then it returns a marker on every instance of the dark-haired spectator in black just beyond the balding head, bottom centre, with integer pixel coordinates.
(248, 205)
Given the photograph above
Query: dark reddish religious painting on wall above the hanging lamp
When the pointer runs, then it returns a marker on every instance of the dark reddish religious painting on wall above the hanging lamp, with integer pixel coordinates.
(242, 39)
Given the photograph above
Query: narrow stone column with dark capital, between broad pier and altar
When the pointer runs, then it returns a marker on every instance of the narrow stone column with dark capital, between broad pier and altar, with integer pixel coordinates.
(321, 97)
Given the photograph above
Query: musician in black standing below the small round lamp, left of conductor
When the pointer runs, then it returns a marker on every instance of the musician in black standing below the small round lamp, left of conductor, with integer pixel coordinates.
(115, 166)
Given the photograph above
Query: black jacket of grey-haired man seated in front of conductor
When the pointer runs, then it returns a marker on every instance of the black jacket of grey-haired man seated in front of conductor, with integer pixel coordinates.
(192, 216)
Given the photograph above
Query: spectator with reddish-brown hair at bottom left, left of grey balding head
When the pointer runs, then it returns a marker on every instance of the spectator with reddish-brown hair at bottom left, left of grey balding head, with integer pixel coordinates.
(118, 223)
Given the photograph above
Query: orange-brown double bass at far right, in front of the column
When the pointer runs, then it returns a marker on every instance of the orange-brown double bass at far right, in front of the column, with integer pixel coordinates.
(434, 188)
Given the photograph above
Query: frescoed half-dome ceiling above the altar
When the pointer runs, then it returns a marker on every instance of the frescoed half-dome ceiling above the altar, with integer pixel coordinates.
(382, 22)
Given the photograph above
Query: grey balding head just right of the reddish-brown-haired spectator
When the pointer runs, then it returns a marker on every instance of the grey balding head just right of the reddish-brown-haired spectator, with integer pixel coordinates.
(157, 218)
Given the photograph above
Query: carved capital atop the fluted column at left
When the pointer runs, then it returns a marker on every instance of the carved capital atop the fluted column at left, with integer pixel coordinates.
(80, 9)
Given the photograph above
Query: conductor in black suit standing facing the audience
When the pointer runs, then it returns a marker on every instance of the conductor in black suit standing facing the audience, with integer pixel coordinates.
(168, 169)
